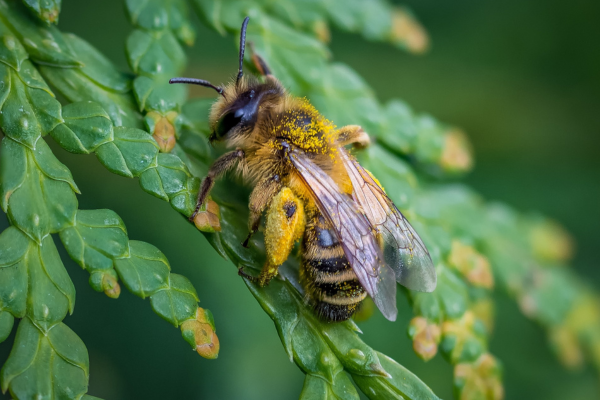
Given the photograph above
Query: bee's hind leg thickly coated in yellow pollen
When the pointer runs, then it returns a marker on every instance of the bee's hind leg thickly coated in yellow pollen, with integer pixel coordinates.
(285, 226)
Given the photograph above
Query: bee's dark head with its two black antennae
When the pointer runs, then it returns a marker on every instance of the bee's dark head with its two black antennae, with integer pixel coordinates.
(236, 112)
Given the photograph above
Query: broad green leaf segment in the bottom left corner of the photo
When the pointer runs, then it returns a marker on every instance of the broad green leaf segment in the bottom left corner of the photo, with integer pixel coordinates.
(46, 364)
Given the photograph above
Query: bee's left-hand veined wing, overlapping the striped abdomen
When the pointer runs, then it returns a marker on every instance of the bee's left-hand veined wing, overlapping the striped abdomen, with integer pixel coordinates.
(354, 233)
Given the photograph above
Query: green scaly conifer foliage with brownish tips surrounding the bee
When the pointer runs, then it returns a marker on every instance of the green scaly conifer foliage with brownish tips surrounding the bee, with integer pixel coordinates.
(139, 126)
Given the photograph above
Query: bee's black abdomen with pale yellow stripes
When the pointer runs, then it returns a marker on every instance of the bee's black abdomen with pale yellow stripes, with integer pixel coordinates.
(328, 278)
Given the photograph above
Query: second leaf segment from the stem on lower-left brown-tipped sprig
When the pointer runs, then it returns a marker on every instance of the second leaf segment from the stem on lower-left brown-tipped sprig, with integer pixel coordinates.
(145, 271)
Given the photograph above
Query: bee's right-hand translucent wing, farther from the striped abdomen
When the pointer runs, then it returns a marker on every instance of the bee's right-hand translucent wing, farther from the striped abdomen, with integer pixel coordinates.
(403, 249)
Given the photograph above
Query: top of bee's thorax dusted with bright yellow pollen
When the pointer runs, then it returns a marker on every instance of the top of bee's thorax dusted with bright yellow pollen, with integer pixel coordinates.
(303, 126)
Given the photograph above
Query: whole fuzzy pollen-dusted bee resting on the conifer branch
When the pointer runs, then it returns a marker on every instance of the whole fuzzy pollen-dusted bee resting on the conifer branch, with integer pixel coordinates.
(355, 242)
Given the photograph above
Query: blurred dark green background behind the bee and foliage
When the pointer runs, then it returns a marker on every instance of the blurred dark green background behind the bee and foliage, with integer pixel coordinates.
(521, 78)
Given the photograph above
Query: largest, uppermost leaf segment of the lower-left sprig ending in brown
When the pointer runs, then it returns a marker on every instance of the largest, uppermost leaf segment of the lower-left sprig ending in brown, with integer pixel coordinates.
(98, 237)
